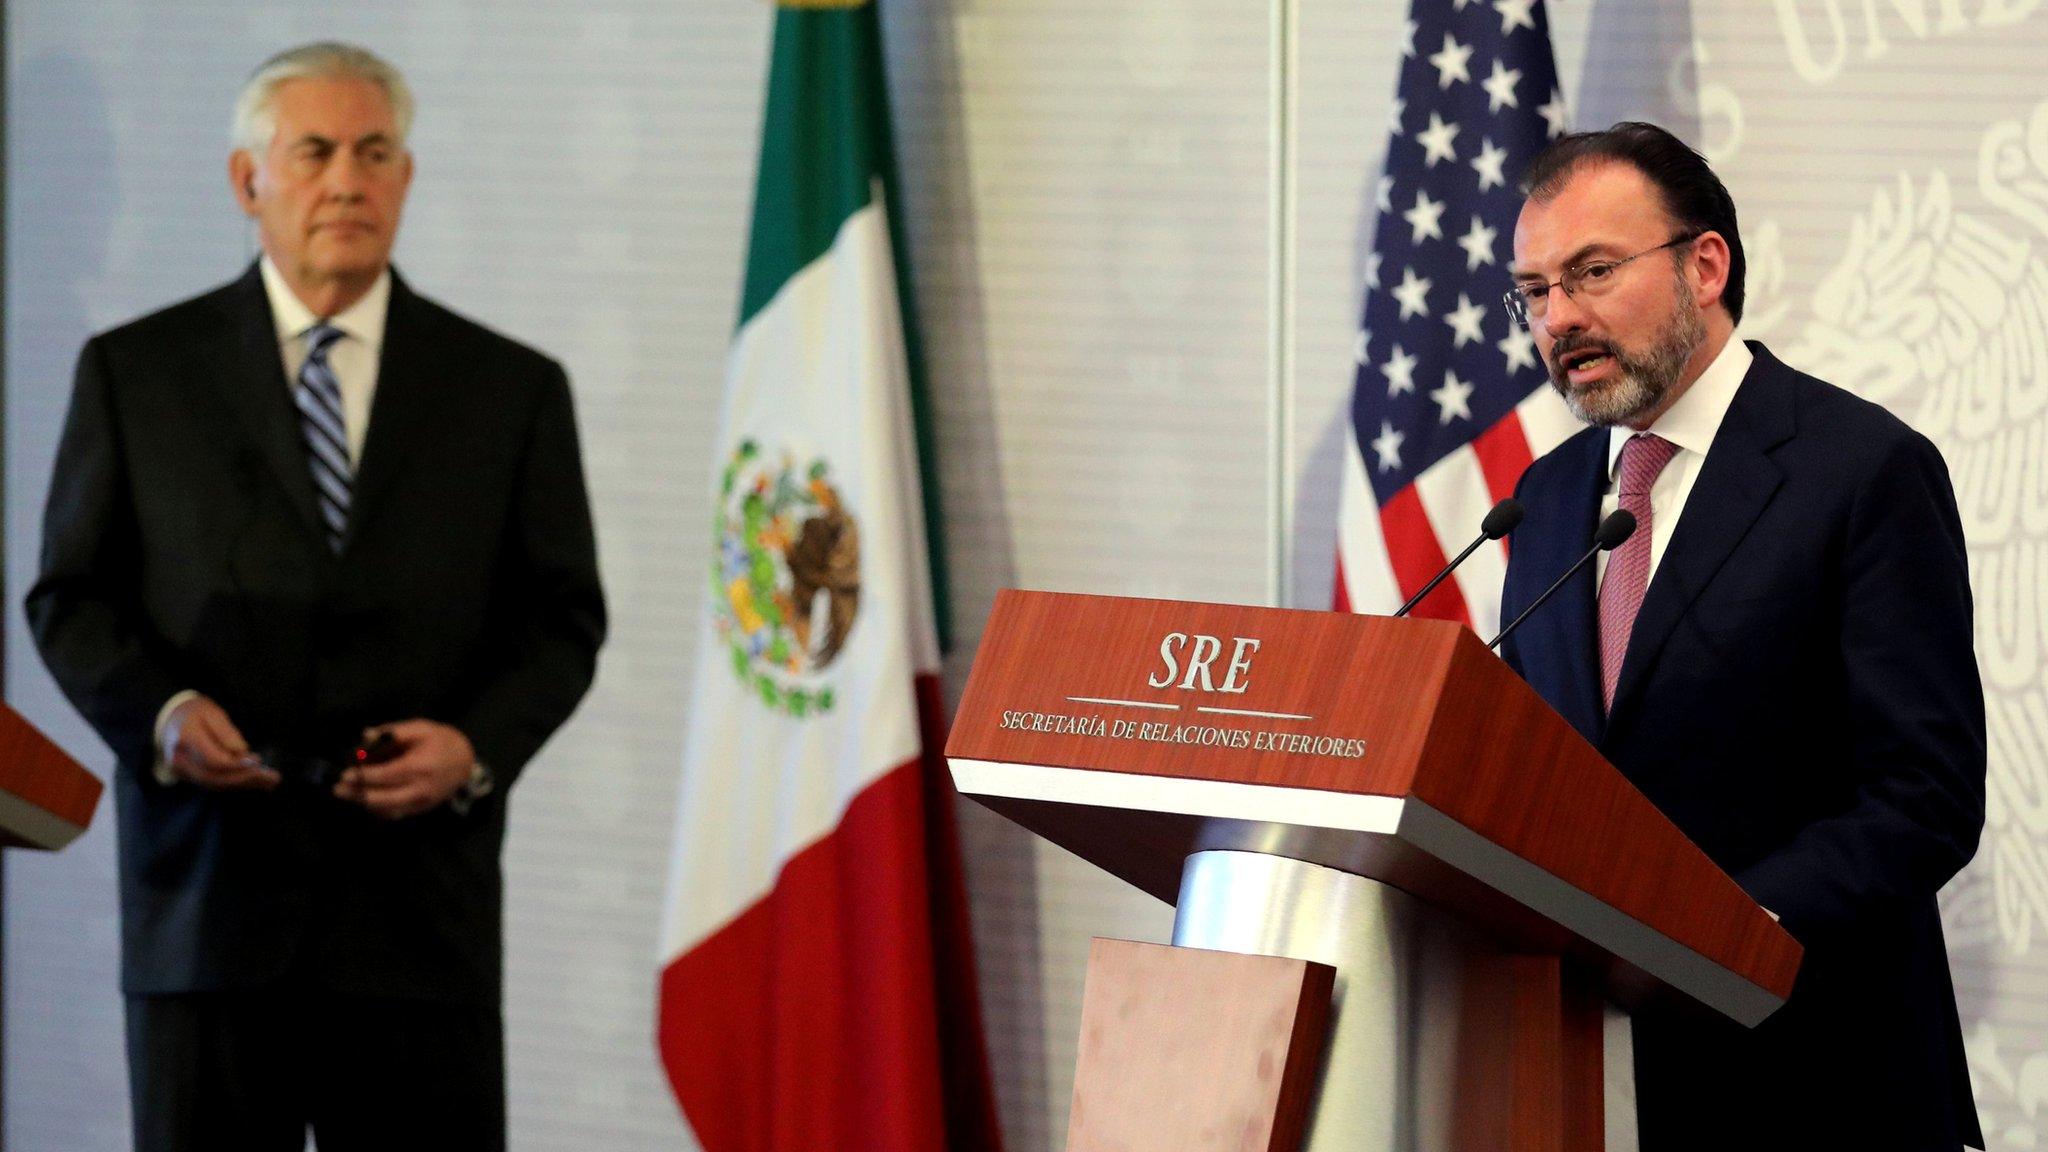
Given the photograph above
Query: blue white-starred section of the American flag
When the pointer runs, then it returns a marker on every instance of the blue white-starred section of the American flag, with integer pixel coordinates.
(1443, 360)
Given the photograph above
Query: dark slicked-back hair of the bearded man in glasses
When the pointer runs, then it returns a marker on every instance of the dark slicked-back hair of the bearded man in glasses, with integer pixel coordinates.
(1693, 194)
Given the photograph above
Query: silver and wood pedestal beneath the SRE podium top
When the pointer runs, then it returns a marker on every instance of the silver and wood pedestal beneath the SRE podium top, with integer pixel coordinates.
(1439, 1040)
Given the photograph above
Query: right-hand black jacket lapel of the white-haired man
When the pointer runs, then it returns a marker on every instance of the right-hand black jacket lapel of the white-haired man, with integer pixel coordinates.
(402, 415)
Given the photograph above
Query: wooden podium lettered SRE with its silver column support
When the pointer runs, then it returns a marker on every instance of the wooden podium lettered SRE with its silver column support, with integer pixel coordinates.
(1383, 796)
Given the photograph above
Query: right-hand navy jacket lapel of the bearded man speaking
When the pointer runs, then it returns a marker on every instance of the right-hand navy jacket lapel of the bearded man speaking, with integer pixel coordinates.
(1734, 489)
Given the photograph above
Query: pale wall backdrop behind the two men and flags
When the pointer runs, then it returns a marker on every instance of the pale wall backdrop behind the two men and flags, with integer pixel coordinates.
(1095, 222)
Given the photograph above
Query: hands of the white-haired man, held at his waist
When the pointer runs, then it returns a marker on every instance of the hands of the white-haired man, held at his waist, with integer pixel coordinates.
(431, 764)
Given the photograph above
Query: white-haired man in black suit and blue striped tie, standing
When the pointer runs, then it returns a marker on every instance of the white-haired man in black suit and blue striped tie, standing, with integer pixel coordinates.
(318, 565)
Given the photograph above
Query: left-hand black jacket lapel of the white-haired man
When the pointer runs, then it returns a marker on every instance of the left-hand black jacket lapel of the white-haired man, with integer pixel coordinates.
(253, 380)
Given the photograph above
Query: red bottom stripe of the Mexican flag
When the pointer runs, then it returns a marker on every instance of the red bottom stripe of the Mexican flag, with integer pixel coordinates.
(841, 1010)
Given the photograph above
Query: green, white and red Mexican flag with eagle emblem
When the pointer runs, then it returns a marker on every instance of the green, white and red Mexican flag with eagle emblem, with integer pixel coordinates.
(818, 977)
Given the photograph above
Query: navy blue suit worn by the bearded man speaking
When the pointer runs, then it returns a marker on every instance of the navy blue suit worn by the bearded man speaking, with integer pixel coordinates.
(1801, 698)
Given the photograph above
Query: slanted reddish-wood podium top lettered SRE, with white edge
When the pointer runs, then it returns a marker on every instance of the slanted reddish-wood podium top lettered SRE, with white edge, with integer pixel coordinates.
(1136, 733)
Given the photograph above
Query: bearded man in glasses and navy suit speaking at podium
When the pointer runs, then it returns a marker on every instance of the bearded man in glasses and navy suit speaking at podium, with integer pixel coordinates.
(1781, 657)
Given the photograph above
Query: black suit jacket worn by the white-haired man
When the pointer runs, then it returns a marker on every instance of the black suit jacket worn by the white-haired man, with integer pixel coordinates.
(181, 550)
